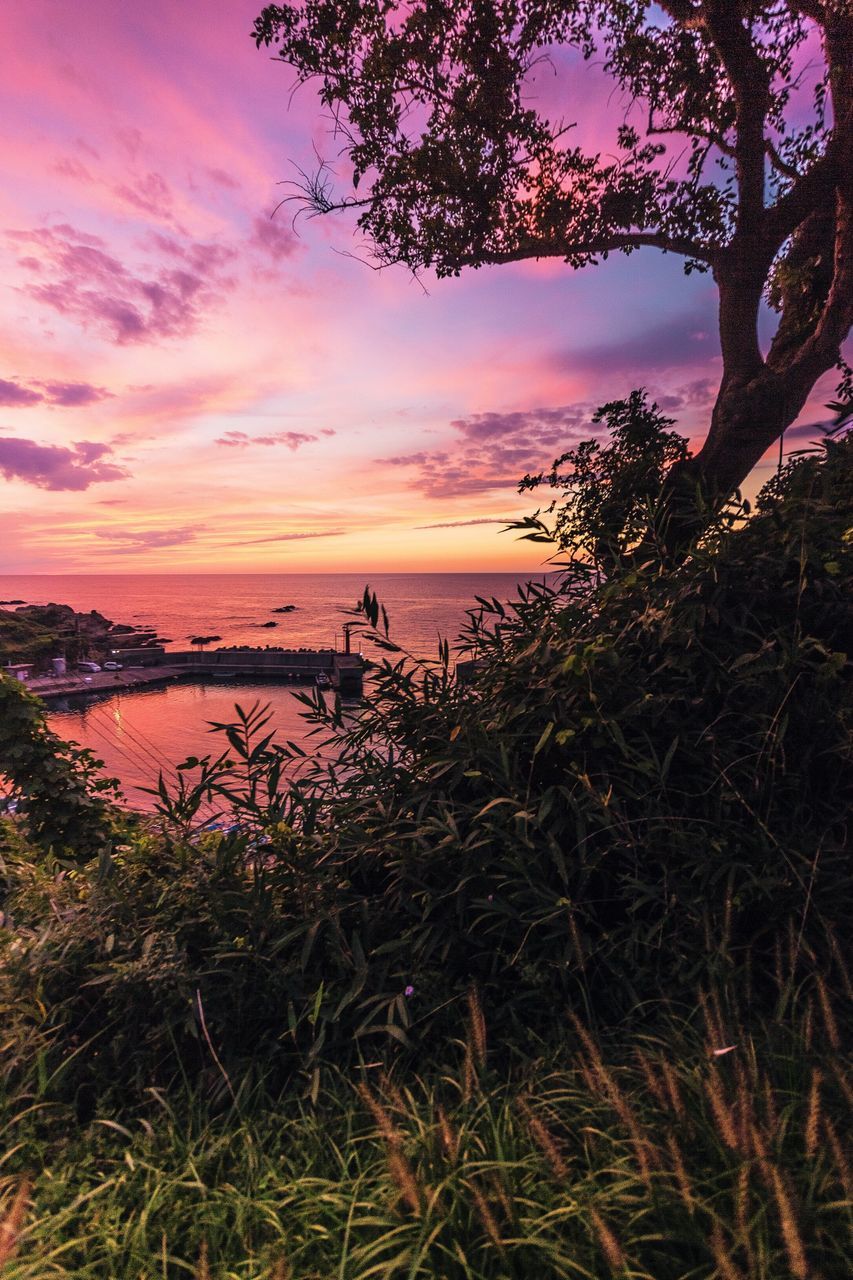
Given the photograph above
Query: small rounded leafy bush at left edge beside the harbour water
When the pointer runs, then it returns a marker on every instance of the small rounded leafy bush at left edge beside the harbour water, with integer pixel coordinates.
(65, 798)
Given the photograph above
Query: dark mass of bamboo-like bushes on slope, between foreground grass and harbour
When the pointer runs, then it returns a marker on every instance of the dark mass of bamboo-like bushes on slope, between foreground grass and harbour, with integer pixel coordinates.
(644, 788)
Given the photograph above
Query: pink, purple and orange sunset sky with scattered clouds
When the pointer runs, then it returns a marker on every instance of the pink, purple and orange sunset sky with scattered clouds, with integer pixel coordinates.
(190, 385)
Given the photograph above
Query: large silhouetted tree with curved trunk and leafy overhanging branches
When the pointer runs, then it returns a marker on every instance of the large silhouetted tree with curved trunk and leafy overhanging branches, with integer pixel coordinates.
(453, 167)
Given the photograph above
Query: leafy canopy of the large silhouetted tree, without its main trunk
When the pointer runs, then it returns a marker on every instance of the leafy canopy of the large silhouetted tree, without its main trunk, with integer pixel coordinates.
(434, 108)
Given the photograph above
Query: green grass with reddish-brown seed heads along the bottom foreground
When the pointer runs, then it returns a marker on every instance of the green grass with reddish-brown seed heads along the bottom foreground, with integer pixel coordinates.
(651, 1156)
